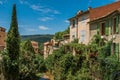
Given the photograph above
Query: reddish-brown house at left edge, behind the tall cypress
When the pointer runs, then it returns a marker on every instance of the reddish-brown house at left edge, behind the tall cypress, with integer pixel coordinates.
(2, 38)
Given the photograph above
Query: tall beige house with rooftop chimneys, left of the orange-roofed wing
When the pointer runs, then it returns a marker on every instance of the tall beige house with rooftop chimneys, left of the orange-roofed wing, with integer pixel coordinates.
(79, 26)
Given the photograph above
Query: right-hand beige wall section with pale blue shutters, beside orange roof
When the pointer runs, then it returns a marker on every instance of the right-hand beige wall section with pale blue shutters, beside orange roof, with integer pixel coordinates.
(83, 29)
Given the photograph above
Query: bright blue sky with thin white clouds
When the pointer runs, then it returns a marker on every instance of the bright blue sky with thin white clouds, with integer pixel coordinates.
(44, 16)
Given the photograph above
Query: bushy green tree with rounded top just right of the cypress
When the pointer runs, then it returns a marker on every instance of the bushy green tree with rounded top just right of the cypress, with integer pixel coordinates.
(30, 63)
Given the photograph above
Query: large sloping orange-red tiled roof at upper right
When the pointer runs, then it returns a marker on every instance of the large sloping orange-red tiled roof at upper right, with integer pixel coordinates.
(99, 12)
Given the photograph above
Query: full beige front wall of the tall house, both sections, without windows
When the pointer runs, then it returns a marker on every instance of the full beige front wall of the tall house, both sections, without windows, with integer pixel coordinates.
(82, 28)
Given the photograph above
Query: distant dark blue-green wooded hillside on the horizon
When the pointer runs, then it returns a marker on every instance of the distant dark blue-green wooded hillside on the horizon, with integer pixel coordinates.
(39, 38)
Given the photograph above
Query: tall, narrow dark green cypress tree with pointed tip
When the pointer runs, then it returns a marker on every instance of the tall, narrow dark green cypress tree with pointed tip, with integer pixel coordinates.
(13, 47)
